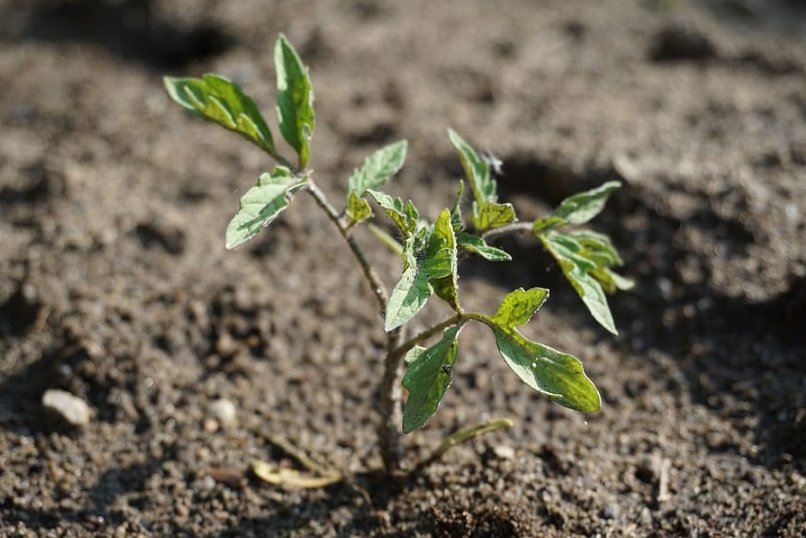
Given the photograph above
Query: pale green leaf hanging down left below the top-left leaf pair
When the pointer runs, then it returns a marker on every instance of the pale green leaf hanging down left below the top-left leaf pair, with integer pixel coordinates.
(261, 205)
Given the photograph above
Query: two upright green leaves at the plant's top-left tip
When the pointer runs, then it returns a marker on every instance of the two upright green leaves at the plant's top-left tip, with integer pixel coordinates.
(216, 99)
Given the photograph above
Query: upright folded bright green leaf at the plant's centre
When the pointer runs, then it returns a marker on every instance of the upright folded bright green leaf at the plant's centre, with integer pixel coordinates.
(441, 261)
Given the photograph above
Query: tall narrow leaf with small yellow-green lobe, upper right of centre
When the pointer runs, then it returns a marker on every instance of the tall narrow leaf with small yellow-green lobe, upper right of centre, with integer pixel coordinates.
(487, 212)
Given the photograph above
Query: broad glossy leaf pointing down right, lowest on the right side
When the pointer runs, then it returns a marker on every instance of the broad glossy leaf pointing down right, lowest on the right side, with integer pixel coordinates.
(557, 375)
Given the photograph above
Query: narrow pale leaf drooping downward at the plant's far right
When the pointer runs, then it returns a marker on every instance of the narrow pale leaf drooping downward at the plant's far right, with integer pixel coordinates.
(578, 269)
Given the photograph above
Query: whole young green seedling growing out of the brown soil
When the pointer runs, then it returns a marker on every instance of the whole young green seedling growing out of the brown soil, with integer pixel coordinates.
(430, 253)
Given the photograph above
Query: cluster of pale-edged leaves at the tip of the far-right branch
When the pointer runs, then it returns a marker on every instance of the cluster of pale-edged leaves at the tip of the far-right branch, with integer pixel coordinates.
(585, 257)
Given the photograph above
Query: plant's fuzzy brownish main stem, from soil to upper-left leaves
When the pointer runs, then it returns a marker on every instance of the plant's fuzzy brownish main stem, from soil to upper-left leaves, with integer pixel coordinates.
(391, 394)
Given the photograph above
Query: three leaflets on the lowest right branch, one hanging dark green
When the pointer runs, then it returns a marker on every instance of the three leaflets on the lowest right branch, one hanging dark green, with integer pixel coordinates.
(555, 374)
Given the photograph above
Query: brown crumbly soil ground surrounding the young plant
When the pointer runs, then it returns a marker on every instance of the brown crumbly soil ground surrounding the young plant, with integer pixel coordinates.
(114, 283)
